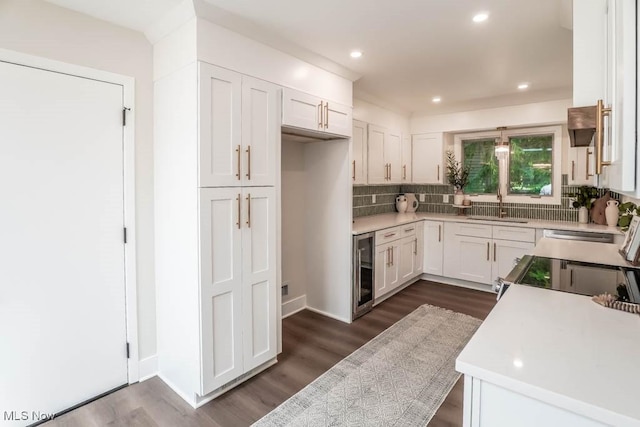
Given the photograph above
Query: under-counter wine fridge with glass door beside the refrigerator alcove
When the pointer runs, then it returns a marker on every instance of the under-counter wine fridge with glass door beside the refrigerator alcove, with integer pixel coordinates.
(363, 262)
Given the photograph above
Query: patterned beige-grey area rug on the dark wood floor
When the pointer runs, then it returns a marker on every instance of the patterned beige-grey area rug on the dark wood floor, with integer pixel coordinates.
(400, 378)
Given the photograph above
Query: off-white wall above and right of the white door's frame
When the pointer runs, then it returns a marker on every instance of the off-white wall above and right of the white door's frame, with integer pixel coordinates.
(42, 29)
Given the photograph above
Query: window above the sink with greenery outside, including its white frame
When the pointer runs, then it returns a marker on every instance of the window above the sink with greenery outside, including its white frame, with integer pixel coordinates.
(528, 173)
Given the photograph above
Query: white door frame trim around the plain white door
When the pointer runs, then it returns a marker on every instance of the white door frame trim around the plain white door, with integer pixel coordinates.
(128, 134)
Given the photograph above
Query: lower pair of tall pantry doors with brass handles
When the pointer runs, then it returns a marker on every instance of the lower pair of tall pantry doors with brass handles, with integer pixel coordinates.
(238, 282)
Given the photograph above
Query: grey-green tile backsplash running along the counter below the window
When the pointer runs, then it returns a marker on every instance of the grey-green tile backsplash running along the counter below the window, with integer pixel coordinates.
(386, 202)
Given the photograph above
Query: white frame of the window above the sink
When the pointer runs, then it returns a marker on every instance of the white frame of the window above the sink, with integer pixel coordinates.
(503, 165)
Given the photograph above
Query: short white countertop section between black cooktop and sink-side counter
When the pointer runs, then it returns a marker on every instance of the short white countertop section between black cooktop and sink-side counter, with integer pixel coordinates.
(571, 250)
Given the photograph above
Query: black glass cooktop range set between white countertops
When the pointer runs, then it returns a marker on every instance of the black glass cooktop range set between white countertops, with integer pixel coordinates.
(573, 276)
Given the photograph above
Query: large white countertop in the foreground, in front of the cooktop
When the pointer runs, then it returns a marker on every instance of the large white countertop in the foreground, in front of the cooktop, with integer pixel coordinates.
(562, 349)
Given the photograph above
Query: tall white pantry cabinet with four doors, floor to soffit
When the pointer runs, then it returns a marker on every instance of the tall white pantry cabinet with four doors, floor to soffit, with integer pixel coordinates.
(218, 136)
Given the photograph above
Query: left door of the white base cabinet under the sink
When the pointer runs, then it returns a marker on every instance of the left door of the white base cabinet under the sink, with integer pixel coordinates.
(472, 259)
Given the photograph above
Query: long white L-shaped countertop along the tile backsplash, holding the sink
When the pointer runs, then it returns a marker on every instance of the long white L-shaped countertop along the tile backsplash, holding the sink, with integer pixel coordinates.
(370, 223)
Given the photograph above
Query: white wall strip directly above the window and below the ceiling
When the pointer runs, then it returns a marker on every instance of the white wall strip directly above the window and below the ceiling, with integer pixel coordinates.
(540, 113)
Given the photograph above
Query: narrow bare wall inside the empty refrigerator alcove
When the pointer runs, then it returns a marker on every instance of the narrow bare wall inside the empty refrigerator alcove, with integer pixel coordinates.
(294, 225)
